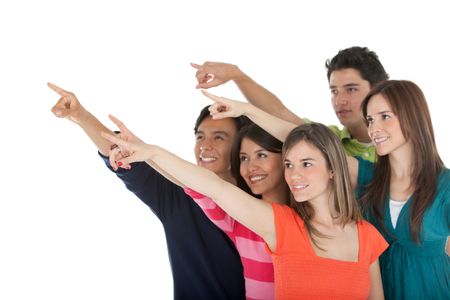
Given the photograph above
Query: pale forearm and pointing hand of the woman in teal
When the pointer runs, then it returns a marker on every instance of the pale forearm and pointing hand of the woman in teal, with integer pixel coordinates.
(226, 108)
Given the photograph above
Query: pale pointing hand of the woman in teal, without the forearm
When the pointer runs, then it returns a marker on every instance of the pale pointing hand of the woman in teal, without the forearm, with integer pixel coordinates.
(225, 108)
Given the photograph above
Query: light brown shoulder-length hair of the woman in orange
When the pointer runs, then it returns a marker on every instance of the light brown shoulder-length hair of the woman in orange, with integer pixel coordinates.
(343, 198)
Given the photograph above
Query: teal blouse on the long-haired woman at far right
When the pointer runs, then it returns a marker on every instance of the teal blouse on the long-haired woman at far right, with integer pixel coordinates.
(410, 270)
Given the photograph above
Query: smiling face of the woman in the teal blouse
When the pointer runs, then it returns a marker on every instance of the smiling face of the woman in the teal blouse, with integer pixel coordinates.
(384, 126)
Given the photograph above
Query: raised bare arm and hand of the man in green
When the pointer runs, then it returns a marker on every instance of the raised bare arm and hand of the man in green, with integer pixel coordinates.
(211, 74)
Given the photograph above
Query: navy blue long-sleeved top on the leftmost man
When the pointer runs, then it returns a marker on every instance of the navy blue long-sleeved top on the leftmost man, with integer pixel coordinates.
(205, 263)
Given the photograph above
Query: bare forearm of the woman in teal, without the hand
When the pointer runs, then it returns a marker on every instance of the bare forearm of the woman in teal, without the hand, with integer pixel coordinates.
(277, 127)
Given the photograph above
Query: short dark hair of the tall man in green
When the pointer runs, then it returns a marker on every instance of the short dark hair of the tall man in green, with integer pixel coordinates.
(361, 59)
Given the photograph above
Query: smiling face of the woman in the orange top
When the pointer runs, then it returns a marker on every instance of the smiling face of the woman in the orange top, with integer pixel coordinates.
(306, 173)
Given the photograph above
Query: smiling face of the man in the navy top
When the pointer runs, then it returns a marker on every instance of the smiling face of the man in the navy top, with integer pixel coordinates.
(213, 141)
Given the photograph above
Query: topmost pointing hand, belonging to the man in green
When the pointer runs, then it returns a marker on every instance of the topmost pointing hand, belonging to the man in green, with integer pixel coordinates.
(212, 74)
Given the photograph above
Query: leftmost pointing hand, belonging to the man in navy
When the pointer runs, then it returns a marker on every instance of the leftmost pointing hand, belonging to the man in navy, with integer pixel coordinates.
(68, 105)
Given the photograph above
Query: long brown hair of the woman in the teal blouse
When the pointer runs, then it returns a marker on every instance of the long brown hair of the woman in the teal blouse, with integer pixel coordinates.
(408, 103)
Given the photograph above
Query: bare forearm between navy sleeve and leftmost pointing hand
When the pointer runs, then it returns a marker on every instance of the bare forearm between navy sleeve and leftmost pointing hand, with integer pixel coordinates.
(93, 129)
